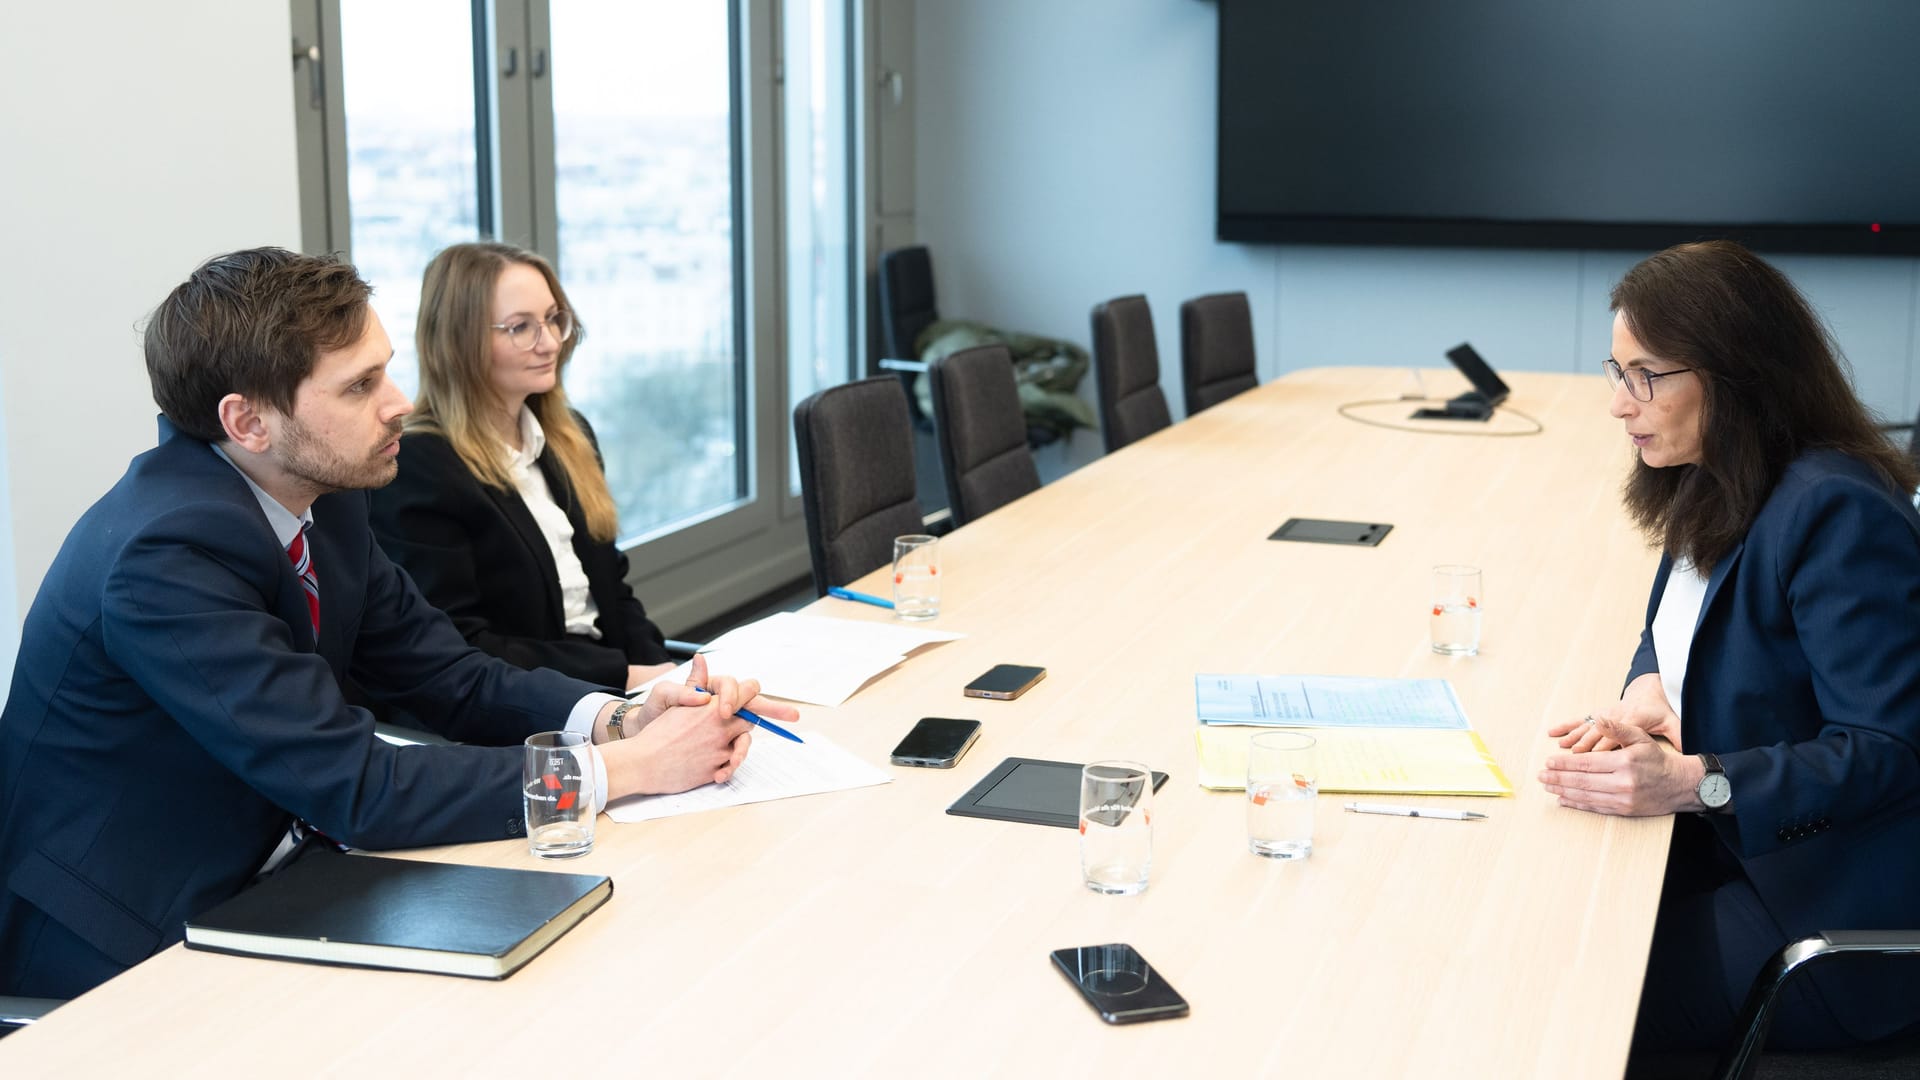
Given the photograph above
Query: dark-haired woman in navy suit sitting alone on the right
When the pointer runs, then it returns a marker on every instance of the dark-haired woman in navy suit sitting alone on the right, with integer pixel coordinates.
(1781, 658)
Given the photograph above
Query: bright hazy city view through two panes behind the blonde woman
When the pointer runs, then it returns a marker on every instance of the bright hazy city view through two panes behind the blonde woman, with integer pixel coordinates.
(644, 195)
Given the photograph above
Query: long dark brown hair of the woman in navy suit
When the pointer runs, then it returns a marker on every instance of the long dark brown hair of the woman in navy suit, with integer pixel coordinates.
(1775, 389)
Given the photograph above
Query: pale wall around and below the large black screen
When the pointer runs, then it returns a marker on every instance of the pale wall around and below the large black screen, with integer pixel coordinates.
(1065, 155)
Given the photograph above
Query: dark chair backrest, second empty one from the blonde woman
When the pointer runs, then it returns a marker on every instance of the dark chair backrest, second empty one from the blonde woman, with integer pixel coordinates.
(982, 431)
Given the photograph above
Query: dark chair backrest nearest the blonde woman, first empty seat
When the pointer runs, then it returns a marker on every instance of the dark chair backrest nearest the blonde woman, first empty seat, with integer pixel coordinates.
(857, 478)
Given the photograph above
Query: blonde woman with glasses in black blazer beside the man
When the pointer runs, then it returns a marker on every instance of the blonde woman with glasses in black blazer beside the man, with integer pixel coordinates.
(502, 512)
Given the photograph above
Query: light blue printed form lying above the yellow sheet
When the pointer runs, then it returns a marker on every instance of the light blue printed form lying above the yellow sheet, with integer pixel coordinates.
(1328, 702)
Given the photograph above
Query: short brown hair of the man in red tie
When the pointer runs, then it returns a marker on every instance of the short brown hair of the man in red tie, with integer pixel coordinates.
(249, 324)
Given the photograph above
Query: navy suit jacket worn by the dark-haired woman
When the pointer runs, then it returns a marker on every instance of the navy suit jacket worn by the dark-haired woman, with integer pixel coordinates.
(1806, 681)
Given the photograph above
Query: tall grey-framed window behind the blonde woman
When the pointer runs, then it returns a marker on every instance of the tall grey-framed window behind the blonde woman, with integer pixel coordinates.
(688, 170)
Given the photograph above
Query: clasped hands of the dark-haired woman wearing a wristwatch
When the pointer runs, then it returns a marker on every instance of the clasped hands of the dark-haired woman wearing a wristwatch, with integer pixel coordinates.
(1614, 762)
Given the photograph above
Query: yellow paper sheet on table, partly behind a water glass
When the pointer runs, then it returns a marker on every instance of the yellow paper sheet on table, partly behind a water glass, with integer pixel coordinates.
(1403, 762)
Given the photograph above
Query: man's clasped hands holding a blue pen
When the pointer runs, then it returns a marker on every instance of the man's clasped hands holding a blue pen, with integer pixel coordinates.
(686, 735)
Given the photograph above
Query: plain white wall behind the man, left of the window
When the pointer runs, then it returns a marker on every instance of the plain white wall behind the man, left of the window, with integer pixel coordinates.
(139, 139)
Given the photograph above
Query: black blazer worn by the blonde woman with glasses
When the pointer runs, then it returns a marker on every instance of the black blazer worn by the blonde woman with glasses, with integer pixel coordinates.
(479, 556)
